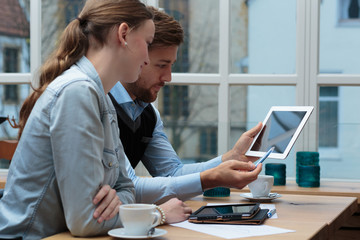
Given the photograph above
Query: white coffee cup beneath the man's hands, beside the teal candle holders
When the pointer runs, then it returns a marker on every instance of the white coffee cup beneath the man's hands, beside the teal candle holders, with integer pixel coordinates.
(261, 187)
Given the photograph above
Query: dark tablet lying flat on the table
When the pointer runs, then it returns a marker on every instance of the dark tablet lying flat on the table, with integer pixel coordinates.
(224, 213)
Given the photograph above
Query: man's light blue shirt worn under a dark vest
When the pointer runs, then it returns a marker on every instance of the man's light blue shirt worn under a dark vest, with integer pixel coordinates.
(172, 178)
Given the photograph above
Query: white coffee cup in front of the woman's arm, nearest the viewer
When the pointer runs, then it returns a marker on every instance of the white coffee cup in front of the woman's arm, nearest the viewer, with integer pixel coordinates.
(138, 219)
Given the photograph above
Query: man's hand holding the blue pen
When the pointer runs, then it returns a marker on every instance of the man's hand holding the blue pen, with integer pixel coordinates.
(232, 173)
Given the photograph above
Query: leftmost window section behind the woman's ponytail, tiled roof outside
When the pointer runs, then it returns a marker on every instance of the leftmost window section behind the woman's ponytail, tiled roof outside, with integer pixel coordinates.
(14, 61)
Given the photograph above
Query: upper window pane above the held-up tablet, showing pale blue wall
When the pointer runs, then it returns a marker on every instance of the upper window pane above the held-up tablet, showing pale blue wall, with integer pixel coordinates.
(263, 37)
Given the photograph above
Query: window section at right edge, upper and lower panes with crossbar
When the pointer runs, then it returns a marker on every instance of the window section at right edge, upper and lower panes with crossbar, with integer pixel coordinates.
(338, 84)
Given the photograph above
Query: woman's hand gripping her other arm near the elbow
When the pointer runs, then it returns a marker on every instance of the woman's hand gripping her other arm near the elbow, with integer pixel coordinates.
(108, 204)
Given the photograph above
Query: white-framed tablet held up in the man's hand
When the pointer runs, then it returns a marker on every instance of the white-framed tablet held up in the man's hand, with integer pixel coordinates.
(281, 128)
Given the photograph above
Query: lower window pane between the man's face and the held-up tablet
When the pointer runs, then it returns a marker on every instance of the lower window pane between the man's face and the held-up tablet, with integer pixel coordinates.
(190, 119)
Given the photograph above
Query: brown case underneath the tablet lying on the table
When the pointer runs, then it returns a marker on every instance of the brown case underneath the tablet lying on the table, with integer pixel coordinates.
(259, 218)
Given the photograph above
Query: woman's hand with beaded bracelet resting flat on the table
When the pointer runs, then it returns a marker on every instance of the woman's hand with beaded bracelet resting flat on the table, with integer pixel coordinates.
(175, 210)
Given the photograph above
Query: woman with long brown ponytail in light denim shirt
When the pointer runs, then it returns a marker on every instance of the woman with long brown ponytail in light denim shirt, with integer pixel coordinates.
(69, 146)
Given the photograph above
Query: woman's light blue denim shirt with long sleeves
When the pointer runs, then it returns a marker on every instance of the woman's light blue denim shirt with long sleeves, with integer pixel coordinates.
(69, 148)
